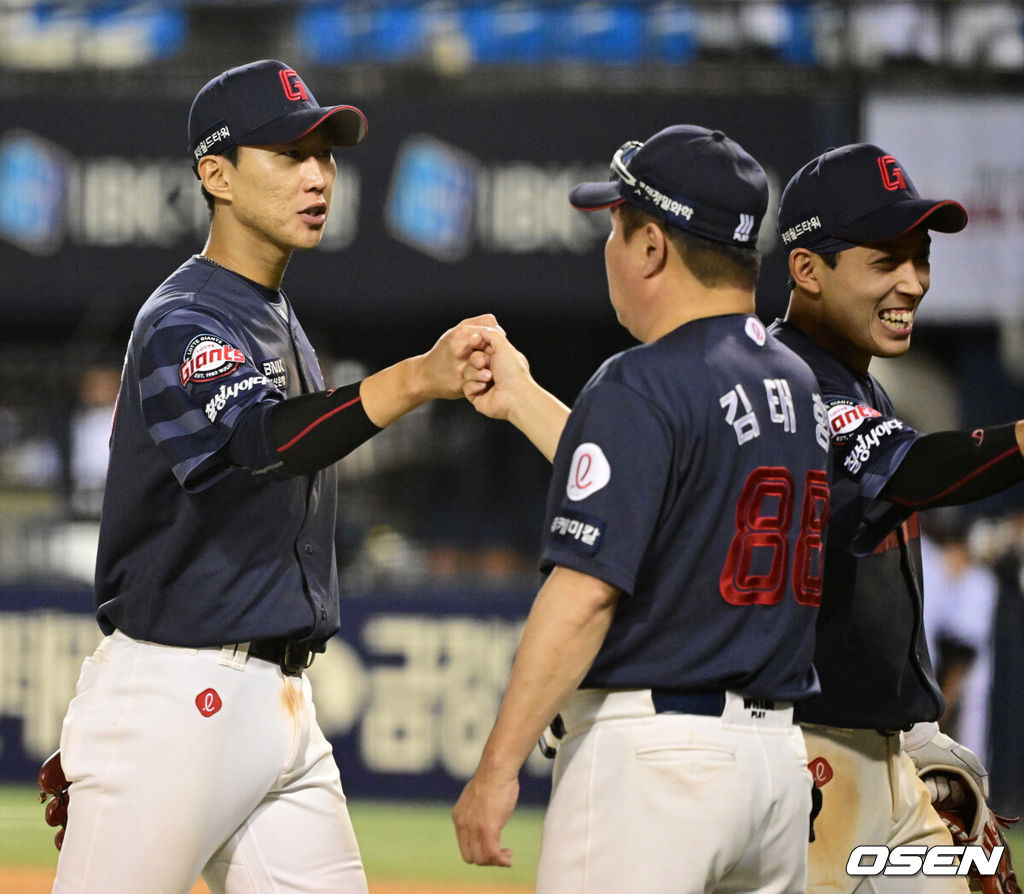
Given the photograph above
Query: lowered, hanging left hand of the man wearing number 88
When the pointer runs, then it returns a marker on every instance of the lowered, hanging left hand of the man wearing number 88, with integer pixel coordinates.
(481, 815)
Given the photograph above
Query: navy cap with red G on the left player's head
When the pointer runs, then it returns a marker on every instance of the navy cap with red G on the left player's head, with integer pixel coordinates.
(265, 104)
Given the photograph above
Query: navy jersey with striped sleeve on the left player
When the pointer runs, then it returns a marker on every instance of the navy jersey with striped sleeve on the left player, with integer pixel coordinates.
(193, 551)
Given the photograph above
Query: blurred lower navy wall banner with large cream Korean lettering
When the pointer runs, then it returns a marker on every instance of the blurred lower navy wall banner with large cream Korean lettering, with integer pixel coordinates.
(407, 693)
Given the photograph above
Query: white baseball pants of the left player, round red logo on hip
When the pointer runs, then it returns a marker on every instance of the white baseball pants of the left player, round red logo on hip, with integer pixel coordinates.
(185, 762)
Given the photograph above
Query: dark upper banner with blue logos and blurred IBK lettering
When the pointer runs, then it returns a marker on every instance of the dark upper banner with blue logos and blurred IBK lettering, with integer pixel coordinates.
(453, 205)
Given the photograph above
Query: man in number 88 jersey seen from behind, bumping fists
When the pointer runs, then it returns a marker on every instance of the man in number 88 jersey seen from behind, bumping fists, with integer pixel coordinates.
(684, 537)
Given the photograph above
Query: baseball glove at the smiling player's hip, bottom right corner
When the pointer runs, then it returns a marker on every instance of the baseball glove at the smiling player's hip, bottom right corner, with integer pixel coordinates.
(959, 785)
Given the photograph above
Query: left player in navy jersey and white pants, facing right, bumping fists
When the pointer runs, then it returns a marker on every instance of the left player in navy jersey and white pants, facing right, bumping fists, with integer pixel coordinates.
(192, 746)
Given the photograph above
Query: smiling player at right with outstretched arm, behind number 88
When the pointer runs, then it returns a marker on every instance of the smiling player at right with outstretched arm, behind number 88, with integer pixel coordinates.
(858, 235)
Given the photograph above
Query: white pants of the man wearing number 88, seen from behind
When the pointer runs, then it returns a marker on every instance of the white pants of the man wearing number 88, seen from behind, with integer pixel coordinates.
(675, 803)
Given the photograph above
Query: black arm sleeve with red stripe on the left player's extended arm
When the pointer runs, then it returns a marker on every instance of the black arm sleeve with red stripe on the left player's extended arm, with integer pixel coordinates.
(303, 435)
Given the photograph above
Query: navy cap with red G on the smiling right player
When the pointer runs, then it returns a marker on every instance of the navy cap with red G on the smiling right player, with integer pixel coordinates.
(858, 194)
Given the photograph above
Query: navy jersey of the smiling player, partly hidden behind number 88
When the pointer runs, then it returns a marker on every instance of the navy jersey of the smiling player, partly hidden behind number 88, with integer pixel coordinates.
(872, 654)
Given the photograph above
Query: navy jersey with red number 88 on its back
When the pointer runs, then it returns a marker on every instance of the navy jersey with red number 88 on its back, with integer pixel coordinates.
(692, 476)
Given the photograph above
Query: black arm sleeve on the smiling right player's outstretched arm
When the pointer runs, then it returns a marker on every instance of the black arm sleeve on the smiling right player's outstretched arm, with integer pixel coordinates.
(954, 467)
